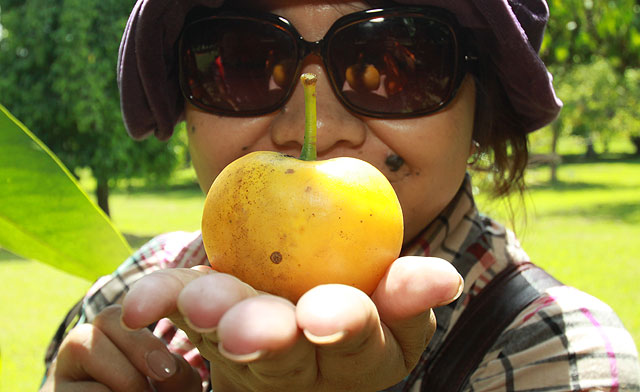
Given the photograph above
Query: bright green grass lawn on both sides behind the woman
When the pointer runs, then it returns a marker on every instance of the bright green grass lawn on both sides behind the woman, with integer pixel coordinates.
(585, 230)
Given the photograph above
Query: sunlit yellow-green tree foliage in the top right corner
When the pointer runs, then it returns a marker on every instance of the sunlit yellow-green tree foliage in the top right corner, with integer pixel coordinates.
(582, 36)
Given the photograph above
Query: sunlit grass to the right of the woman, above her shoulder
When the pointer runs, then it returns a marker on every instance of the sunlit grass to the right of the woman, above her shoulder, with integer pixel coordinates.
(585, 230)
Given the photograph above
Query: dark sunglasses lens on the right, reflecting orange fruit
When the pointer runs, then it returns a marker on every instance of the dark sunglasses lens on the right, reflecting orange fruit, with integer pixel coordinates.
(394, 65)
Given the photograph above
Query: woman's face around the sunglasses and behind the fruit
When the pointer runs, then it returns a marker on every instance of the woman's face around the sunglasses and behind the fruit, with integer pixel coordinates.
(434, 148)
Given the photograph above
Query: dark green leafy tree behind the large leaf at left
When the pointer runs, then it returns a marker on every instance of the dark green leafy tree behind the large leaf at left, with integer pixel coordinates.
(58, 61)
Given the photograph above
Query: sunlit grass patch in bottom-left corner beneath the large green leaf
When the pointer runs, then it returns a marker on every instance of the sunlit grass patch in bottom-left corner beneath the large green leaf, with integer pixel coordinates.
(33, 301)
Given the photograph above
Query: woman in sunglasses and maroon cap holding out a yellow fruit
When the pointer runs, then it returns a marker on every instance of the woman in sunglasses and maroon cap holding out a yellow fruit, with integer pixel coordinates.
(451, 79)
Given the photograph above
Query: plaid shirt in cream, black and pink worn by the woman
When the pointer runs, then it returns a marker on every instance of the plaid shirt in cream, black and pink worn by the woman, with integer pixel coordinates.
(566, 340)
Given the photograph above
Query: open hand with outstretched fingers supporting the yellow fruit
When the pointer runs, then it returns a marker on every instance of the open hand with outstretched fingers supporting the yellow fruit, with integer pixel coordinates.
(335, 339)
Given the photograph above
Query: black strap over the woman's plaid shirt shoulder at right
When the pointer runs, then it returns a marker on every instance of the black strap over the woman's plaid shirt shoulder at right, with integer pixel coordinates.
(484, 319)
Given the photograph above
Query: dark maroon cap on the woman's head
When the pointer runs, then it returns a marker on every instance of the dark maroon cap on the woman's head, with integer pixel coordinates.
(511, 30)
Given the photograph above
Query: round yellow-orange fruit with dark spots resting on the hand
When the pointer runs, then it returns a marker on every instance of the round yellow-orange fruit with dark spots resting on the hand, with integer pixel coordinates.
(284, 225)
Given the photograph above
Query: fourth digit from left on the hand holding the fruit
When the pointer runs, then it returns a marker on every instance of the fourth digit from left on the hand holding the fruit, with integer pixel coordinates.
(353, 348)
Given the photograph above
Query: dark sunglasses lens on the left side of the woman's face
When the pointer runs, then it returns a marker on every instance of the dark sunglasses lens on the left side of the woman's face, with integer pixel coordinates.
(234, 65)
